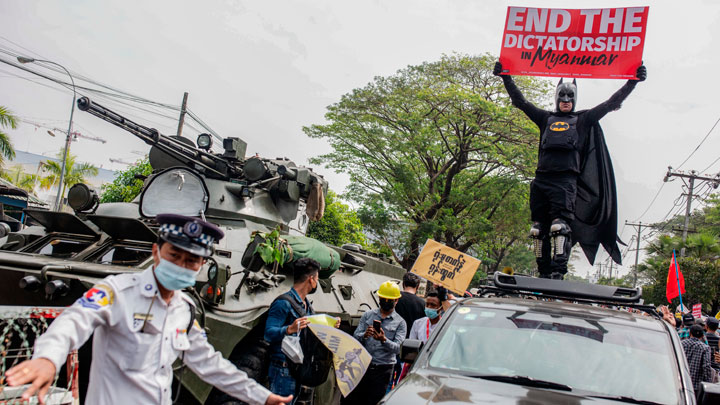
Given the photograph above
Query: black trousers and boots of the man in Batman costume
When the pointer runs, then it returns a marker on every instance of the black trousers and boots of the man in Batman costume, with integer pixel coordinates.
(552, 196)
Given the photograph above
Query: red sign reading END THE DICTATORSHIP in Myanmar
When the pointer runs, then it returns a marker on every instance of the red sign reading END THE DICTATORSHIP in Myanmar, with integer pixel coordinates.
(598, 43)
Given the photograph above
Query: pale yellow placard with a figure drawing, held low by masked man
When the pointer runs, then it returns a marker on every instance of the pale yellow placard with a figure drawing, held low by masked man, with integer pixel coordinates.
(350, 358)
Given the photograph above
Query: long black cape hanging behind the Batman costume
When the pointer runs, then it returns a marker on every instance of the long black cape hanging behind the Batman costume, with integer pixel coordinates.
(596, 204)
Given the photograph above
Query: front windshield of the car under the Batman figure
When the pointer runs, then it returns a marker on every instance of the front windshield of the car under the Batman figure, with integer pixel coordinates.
(590, 354)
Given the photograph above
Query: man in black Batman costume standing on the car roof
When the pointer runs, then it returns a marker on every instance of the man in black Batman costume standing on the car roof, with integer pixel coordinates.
(572, 198)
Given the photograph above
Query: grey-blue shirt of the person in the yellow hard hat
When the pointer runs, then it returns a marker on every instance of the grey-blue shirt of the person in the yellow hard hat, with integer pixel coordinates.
(395, 331)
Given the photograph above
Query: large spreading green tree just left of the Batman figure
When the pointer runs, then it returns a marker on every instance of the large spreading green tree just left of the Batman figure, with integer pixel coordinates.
(439, 151)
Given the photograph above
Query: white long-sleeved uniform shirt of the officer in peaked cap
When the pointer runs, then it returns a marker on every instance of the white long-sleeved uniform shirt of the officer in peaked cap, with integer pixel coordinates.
(130, 365)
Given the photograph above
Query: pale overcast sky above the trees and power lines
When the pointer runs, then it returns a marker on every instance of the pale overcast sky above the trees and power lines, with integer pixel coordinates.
(261, 70)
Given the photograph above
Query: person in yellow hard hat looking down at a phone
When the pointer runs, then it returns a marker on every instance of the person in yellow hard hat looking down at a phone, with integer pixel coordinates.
(381, 331)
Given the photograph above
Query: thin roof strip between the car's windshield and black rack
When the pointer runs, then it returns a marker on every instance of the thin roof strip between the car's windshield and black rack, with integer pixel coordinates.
(567, 309)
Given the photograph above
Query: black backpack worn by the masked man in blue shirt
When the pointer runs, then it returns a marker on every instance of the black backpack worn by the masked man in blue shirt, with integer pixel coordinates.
(317, 358)
